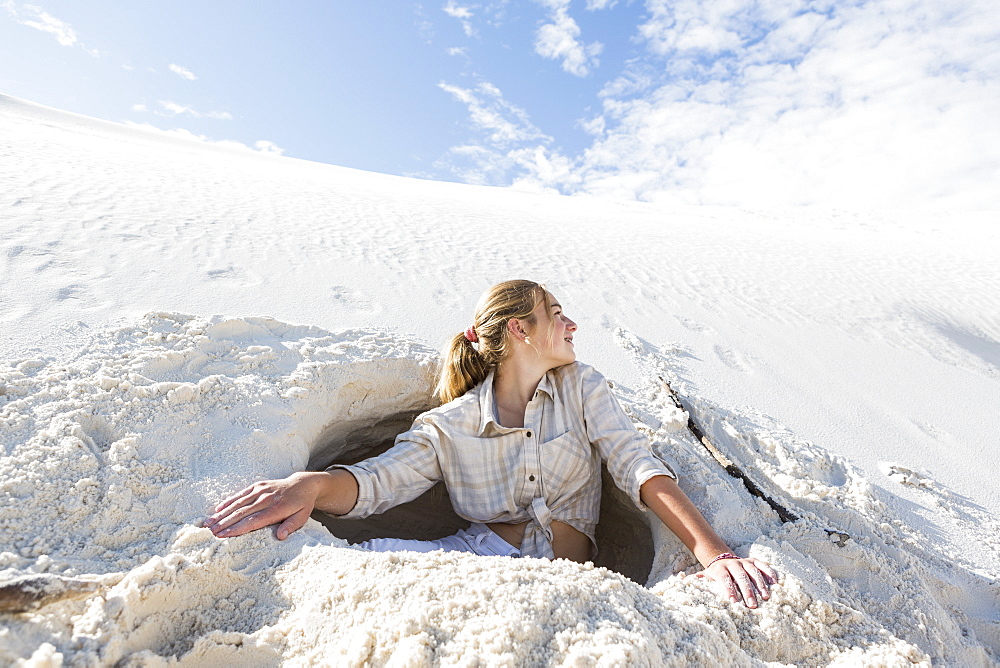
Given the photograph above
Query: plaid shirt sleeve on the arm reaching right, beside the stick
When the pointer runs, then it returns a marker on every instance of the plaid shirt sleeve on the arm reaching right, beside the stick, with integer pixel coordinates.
(627, 453)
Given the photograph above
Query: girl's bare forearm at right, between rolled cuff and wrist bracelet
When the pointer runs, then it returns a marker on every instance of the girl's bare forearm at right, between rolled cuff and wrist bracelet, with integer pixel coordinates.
(664, 497)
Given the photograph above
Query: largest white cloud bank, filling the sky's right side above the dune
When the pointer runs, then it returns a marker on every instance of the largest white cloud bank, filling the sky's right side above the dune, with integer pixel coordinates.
(792, 102)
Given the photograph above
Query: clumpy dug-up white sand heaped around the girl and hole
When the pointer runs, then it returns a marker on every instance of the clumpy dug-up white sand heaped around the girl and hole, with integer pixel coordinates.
(111, 459)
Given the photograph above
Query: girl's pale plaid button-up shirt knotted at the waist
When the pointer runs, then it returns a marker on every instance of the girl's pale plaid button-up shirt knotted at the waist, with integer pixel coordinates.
(547, 470)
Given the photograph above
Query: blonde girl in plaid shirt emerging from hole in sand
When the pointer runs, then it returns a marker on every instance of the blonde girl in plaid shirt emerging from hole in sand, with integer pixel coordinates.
(518, 442)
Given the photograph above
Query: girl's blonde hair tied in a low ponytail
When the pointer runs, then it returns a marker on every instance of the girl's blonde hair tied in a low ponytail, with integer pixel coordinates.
(466, 365)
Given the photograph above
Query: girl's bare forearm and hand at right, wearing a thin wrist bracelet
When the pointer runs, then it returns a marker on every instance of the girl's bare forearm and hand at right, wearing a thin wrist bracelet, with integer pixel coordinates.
(739, 577)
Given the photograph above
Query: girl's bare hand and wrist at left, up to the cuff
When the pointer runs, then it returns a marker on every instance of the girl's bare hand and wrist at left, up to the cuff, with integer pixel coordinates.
(287, 502)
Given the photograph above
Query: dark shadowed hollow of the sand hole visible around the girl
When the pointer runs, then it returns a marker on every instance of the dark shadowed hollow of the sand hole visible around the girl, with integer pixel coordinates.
(624, 540)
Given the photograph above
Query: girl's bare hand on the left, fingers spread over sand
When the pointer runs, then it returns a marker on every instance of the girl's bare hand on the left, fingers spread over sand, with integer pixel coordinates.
(287, 502)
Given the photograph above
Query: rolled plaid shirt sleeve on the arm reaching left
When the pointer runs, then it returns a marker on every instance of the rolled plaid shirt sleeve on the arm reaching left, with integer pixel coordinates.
(400, 474)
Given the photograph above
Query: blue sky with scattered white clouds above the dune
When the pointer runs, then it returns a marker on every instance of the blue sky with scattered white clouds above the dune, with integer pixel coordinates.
(847, 104)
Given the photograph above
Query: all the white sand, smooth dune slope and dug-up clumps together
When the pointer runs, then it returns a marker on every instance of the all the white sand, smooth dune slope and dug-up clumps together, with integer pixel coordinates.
(871, 336)
